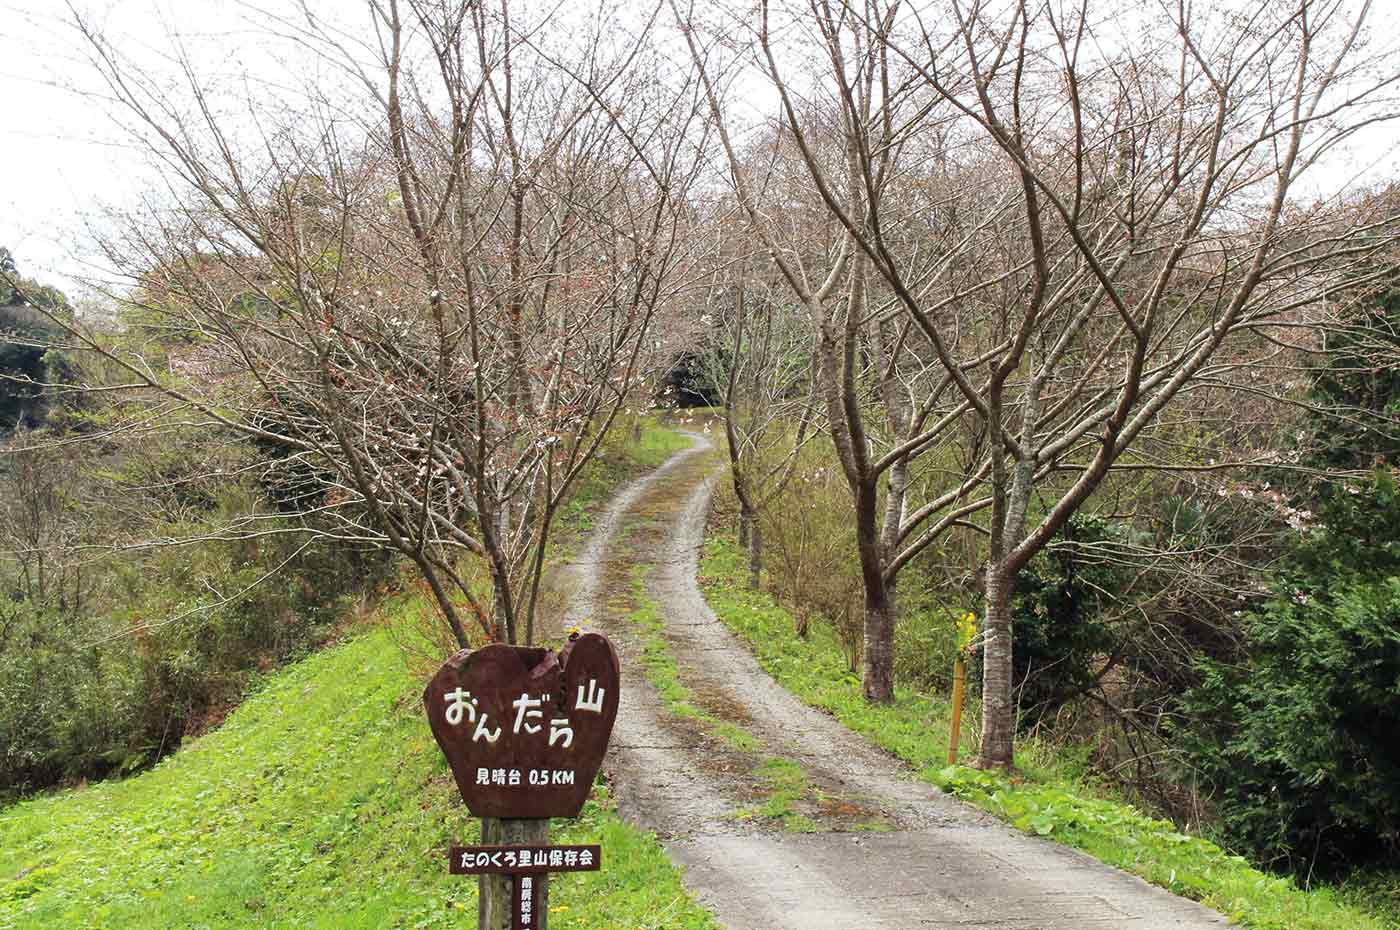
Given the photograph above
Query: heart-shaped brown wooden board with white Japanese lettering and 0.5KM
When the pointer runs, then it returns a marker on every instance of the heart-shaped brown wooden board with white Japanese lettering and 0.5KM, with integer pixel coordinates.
(526, 729)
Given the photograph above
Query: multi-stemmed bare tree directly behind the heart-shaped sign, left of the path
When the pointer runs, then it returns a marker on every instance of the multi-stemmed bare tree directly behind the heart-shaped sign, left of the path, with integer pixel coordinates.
(426, 284)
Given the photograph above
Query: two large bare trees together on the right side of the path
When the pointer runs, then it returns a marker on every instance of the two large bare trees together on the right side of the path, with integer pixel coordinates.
(1053, 228)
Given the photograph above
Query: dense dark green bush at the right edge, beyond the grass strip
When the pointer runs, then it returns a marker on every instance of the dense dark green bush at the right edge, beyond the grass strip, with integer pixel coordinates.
(1298, 742)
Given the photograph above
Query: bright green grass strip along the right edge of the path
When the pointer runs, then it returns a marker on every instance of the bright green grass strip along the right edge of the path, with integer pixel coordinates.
(1041, 799)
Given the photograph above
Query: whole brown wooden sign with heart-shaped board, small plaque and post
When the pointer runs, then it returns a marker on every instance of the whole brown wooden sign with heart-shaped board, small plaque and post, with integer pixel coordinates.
(524, 732)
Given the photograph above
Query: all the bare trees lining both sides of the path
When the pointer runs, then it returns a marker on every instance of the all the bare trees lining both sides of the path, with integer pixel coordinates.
(992, 250)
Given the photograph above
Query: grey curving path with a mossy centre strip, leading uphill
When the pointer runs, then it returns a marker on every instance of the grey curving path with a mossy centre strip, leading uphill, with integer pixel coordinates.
(887, 851)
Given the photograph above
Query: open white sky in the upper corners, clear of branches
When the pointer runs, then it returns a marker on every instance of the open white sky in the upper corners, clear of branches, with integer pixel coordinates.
(64, 159)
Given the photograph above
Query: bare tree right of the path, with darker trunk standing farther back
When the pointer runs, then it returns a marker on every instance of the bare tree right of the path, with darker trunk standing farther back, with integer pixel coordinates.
(888, 405)
